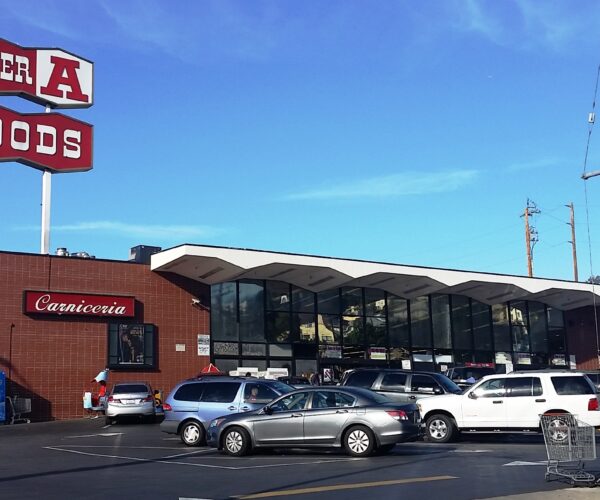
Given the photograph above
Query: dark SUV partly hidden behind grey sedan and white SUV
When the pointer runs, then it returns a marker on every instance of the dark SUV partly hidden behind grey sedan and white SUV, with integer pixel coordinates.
(400, 385)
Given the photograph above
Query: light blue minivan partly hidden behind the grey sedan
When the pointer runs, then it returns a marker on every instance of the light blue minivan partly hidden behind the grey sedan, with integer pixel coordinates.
(193, 403)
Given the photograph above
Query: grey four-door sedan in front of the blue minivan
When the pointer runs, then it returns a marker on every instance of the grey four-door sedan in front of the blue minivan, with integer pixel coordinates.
(358, 420)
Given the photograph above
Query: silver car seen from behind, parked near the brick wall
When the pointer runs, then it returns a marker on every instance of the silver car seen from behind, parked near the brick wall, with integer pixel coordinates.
(127, 399)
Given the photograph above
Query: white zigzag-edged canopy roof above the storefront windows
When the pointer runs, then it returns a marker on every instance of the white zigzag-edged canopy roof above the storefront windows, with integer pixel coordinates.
(212, 265)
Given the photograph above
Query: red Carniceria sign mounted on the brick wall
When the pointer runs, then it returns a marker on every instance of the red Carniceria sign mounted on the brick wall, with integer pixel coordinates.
(77, 304)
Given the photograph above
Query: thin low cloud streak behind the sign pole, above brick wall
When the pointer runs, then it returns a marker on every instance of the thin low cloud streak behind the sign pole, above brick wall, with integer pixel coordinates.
(150, 231)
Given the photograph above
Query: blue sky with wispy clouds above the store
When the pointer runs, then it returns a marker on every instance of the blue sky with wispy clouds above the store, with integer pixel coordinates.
(397, 131)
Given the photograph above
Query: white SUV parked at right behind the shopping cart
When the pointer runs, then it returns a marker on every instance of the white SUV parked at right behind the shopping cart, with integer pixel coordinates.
(510, 403)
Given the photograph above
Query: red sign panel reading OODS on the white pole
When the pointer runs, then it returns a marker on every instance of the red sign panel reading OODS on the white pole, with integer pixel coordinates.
(46, 141)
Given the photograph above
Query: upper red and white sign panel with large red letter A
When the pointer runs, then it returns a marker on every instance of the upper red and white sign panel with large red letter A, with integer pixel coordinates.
(46, 76)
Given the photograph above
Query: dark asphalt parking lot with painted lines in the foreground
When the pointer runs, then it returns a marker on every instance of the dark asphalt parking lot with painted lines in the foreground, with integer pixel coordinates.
(85, 458)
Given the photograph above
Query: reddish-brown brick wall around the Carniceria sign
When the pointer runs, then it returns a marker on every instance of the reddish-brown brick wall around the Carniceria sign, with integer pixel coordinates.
(52, 360)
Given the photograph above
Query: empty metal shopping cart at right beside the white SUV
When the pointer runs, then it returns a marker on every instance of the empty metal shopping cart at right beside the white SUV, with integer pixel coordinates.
(569, 443)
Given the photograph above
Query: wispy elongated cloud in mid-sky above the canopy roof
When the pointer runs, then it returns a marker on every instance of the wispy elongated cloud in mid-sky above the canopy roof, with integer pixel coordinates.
(391, 186)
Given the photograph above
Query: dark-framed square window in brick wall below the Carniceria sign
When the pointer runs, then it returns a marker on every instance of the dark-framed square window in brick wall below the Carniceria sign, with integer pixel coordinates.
(131, 346)
